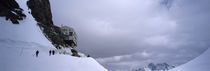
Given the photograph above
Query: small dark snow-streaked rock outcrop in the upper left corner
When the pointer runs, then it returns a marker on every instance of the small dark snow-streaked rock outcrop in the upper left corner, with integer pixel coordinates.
(11, 10)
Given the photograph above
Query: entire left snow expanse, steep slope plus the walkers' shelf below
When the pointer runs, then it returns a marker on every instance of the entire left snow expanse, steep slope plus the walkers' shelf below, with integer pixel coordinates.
(18, 44)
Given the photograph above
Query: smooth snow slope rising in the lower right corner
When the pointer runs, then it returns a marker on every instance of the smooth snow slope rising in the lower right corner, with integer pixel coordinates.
(201, 63)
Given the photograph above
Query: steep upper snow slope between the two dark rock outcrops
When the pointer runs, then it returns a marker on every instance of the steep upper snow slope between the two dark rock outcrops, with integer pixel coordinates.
(27, 30)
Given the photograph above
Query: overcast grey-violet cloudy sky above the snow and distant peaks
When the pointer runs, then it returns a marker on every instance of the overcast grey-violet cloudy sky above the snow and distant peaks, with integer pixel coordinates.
(127, 34)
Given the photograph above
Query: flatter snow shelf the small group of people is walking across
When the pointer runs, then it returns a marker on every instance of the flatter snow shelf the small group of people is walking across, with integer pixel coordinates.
(19, 56)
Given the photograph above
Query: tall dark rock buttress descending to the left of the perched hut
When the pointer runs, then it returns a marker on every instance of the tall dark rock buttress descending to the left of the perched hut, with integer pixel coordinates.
(40, 10)
